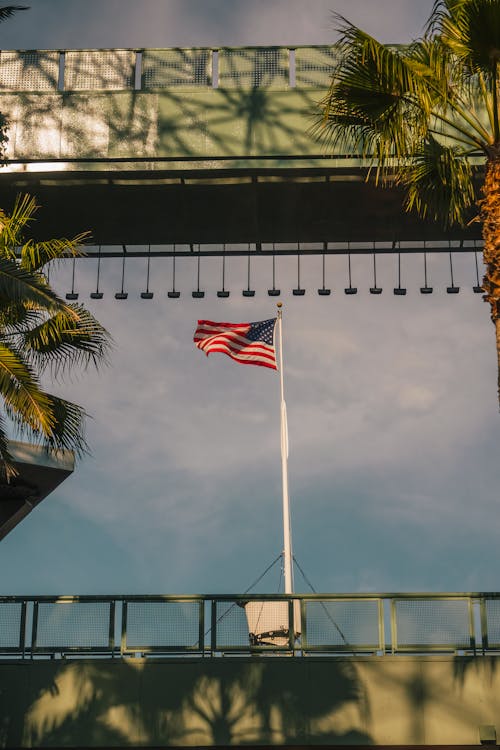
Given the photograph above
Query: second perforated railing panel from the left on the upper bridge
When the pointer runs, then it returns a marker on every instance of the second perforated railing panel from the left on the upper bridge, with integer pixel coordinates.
(99, 69)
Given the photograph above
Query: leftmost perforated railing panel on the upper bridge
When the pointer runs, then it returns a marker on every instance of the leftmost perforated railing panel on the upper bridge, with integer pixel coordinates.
(29, 71)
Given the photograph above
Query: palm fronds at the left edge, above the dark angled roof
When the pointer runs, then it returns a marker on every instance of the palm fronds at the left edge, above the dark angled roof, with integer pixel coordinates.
(39, 332)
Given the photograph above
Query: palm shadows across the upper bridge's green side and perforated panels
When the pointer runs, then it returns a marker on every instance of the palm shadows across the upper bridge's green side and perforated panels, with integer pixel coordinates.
(177, 113)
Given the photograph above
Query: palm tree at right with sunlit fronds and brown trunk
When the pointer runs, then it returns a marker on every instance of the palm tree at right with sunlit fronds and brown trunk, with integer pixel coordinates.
(428, 114)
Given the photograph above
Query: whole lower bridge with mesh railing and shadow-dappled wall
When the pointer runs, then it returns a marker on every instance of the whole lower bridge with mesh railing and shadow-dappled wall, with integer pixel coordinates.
(371, 669)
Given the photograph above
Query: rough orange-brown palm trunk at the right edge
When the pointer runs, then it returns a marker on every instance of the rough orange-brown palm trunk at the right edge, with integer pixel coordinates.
(490, 215)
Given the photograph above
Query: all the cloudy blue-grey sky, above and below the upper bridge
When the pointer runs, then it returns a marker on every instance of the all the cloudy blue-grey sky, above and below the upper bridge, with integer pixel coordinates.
(392, 406)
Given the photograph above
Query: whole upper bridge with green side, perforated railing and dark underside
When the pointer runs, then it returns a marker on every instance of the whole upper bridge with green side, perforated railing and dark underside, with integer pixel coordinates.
(195, 148)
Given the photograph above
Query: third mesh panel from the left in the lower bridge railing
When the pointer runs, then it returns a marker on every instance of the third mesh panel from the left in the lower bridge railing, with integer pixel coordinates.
(157, 626)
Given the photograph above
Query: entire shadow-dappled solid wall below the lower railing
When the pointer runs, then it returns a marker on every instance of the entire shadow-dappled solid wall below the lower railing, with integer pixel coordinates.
(434, 700)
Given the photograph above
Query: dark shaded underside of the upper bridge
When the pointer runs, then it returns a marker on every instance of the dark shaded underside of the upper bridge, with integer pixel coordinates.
(137, 207)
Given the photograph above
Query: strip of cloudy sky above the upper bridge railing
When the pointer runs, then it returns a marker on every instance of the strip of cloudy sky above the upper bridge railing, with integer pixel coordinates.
(56, 24)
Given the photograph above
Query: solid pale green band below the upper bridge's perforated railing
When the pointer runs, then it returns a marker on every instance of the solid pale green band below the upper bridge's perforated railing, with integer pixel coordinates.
(172, 123)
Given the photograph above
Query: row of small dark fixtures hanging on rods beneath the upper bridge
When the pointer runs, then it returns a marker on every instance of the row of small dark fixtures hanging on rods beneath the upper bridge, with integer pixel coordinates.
(298, 291)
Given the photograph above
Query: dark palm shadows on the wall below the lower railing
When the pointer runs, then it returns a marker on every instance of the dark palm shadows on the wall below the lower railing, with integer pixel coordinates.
(212, 702)
